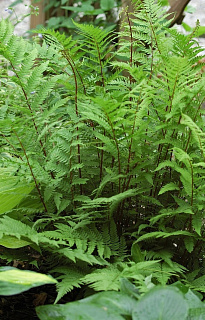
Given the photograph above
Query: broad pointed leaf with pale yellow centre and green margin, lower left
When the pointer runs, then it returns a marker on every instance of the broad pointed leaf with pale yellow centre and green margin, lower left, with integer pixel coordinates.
(14, 281)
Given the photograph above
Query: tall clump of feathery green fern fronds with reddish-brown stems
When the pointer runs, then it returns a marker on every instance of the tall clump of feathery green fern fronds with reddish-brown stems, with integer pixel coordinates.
(102, 158)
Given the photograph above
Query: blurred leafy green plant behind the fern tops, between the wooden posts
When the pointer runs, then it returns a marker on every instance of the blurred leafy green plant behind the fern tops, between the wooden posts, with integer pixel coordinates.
(60, 13)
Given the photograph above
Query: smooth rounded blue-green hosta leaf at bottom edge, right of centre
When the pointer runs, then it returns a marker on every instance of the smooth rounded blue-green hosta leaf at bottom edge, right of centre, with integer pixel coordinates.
(161, 303)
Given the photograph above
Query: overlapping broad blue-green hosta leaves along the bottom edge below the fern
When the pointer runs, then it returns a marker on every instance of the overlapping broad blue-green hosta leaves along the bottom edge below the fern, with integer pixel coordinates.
(163, 303)
